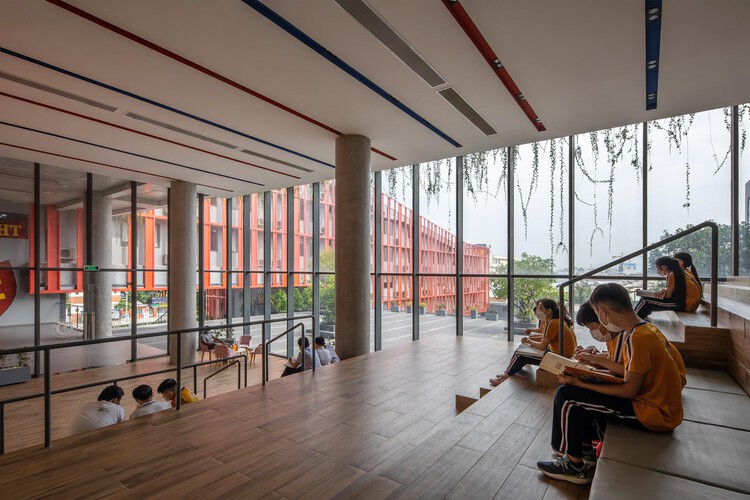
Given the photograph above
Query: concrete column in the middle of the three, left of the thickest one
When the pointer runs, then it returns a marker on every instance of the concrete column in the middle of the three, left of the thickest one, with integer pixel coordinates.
(183, 245)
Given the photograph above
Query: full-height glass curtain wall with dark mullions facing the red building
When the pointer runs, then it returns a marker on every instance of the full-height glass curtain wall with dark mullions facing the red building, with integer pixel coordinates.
(680, 166)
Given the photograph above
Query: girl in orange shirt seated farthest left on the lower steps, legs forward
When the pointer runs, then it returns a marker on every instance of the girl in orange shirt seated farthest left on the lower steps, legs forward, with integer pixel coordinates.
(548, 311)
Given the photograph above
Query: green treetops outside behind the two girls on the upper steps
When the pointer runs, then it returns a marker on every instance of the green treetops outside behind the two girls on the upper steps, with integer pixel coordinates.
(698, 245)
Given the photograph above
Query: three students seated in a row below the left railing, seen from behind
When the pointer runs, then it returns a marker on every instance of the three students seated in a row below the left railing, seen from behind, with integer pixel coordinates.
(108, 411)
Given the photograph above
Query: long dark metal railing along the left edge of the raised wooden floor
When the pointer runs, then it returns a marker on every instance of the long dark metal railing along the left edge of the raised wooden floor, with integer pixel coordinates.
(47, 350)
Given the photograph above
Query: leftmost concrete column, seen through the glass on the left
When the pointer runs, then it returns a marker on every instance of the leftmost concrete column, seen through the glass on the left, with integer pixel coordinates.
(97, 294)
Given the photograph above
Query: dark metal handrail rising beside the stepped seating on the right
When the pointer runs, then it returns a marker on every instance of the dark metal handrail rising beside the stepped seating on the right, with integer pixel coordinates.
(653, 246)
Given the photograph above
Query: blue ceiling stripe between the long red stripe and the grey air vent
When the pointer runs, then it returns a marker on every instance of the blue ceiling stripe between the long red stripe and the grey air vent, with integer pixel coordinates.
(302, 37)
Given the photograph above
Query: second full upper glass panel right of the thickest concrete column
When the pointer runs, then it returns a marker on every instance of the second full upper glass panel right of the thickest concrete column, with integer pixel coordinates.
(437, 205)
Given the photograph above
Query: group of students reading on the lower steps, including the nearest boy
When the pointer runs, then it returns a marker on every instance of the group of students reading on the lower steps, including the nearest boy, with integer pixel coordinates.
(649, 397)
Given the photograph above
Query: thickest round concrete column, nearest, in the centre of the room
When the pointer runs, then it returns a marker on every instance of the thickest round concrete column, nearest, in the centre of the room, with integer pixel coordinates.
(352, 245)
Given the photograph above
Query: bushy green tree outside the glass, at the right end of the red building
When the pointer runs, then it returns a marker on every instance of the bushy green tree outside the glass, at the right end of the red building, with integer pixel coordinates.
(526, 291)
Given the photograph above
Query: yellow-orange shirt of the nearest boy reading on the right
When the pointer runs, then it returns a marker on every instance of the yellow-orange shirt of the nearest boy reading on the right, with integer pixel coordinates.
(658, 404)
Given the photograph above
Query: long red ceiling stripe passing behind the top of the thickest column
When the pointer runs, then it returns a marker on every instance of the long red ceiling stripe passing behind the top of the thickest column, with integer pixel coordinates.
(142, 41)
